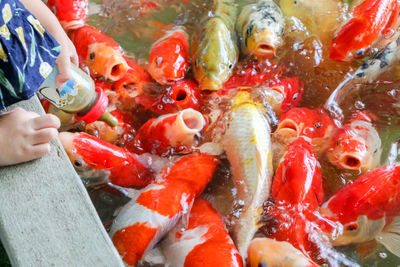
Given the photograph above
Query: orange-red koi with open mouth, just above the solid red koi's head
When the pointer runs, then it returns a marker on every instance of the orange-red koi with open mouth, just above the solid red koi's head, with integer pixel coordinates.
(312, 123)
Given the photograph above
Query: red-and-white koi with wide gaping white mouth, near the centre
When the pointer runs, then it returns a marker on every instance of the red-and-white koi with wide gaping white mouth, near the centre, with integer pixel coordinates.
(177, 131)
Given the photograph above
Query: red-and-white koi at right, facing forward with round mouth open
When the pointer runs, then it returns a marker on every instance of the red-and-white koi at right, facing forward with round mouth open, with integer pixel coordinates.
(357, 145)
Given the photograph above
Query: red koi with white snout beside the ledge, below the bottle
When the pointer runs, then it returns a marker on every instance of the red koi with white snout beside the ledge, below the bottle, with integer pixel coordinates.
(90, 155)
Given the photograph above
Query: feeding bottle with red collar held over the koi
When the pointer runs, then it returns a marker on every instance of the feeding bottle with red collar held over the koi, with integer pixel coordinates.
(79, 96)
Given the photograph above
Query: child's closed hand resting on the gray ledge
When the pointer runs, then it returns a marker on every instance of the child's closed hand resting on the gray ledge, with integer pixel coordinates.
(25, 135)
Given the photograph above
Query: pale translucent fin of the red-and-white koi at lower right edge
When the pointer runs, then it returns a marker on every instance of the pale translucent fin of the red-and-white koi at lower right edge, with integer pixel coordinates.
(390, 237)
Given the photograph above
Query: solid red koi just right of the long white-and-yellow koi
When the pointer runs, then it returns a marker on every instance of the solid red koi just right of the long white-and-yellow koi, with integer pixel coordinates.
(297, 192)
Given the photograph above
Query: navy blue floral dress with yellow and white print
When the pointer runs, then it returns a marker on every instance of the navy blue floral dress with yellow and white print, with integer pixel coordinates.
(27, 53)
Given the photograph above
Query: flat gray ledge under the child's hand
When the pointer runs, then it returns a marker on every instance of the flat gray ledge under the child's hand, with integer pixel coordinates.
(46, 216)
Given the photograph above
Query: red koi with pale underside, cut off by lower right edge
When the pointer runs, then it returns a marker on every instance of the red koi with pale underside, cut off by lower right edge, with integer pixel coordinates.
(367, 209)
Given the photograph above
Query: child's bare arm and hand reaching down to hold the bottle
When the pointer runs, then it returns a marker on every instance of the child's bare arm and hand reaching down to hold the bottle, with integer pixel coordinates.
(50, 22)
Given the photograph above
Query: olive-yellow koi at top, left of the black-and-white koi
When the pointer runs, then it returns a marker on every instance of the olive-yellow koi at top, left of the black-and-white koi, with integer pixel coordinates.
(214, 50)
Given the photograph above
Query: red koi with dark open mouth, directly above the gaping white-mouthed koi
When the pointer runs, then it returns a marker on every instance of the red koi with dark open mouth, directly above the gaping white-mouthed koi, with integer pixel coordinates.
(181, 95)
